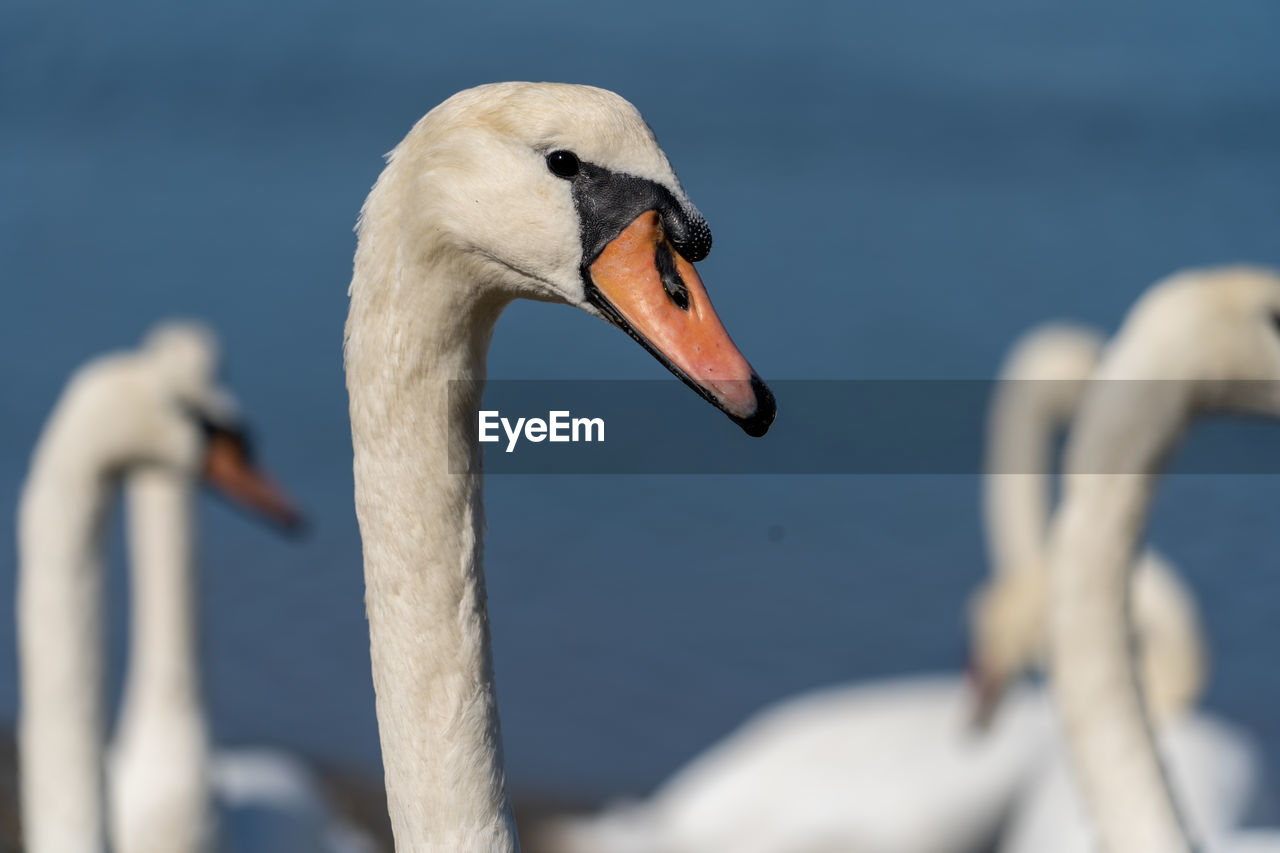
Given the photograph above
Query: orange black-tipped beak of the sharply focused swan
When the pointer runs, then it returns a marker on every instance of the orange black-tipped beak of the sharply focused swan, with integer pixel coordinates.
(642, 285)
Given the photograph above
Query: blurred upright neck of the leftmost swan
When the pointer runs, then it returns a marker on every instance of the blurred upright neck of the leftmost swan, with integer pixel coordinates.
(61, 728)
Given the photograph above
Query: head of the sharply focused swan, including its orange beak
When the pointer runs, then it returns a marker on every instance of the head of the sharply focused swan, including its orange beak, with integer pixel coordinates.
(560, 193)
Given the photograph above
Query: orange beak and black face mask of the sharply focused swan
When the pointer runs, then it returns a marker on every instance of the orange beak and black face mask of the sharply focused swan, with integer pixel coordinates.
(639, 245)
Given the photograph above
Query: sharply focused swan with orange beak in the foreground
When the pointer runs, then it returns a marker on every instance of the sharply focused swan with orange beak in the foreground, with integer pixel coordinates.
(554, 193)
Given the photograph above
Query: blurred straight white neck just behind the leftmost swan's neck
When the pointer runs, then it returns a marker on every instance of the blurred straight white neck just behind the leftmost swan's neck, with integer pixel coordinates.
(159, 770)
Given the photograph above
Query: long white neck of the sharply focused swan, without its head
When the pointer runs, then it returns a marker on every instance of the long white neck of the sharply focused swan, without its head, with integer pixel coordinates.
(410, 332)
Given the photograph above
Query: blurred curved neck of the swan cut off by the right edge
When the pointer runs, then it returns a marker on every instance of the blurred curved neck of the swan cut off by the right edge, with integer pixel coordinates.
(1127, 431)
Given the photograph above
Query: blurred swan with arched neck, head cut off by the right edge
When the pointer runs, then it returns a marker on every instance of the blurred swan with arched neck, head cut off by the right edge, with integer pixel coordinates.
(1200, 341)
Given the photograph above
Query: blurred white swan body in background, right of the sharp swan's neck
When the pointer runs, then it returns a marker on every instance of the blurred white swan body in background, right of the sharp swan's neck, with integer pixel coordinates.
(892, 768)
